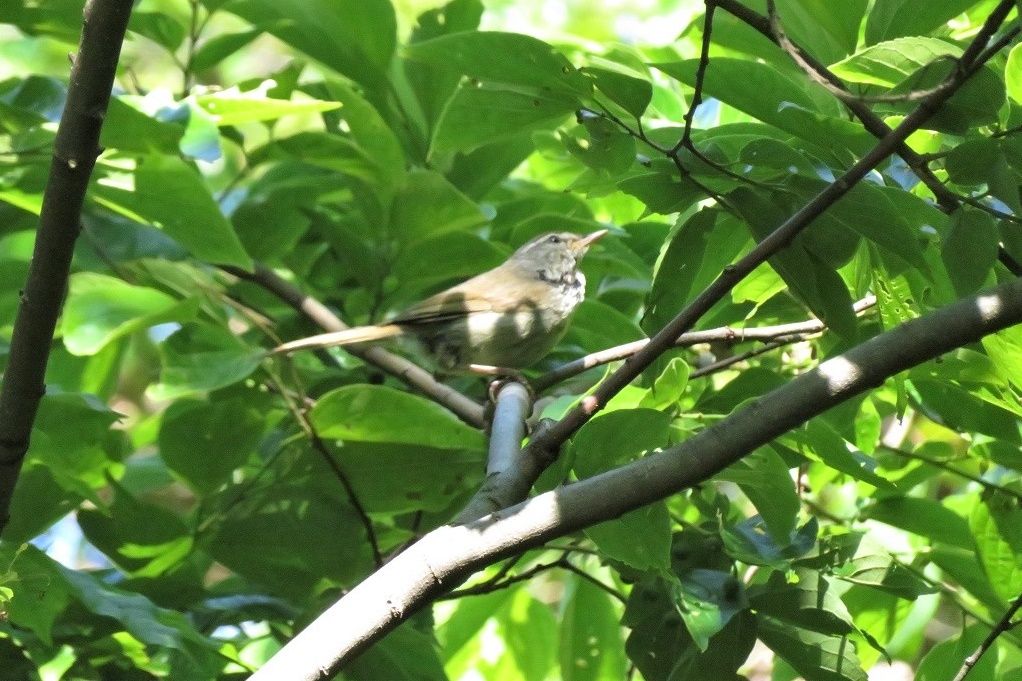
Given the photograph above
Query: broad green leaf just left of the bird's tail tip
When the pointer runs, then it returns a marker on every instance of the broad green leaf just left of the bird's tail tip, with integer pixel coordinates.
(203, 357)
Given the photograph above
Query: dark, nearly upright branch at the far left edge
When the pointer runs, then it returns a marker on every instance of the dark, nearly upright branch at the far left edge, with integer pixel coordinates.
(75, 151)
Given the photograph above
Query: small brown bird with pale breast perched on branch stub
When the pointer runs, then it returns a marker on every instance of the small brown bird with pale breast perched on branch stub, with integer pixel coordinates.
(509, 317)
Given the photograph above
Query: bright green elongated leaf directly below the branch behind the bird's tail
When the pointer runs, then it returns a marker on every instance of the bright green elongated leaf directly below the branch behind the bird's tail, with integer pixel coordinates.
(378, 414)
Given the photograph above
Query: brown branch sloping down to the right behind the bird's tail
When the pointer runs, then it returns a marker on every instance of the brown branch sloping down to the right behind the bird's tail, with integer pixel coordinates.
(467, 410)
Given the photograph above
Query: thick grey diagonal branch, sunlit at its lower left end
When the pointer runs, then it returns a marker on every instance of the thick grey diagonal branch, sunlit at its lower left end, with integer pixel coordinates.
(448, 556)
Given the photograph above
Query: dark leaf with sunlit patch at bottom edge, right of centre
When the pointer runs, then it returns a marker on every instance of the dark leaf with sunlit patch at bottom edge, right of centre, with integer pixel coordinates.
(816, 657)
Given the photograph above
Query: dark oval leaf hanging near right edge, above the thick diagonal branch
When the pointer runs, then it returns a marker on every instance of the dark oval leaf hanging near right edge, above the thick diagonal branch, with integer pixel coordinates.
(970, 250)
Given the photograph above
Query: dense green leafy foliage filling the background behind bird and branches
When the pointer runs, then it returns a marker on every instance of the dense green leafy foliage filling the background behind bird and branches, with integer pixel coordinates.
(183, 512)
